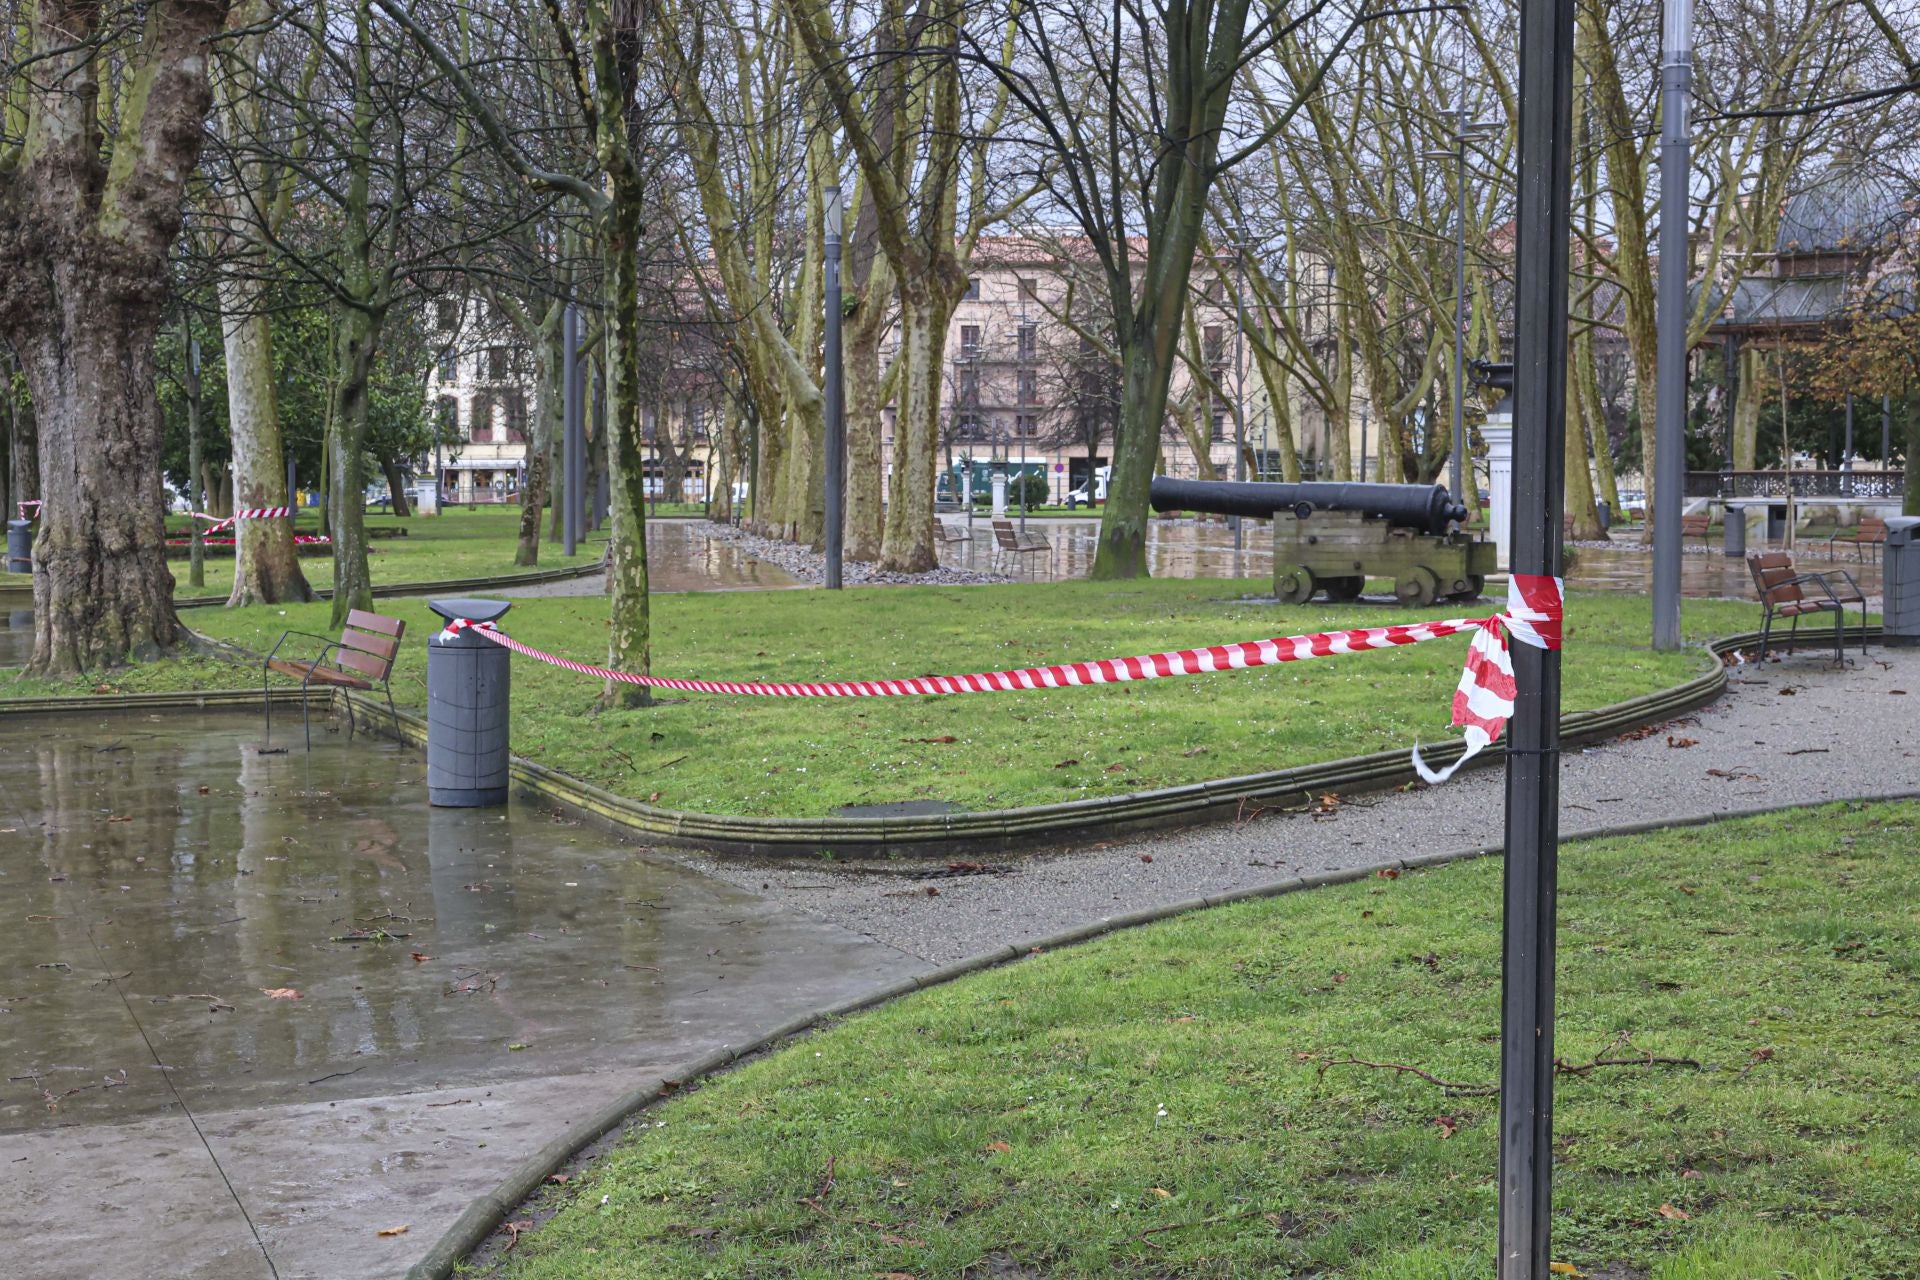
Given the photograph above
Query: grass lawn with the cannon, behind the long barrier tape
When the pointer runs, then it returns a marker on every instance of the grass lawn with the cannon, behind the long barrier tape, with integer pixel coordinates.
(807, 757)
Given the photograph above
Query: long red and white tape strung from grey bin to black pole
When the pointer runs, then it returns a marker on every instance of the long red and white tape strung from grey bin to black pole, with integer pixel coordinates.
(1481, 705)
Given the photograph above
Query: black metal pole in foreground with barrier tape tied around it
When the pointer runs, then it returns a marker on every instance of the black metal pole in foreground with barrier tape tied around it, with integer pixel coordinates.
(1533, 749)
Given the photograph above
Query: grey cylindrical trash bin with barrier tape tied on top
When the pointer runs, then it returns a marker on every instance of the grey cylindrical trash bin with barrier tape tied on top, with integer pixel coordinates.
(469, 688)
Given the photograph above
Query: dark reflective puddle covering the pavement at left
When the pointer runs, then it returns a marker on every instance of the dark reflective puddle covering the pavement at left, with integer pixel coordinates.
(427, 947)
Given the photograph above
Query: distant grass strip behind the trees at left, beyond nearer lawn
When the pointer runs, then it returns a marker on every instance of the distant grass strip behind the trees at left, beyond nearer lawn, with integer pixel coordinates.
(458, 544)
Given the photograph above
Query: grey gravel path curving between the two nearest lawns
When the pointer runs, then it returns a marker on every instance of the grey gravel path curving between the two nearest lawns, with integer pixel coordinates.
(1787, 732)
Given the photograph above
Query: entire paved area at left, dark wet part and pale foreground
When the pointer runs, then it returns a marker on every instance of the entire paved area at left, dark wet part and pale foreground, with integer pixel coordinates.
(262, 1007)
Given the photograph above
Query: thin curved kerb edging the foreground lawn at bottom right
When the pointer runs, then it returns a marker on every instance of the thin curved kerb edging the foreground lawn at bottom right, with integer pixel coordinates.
(485, 1216)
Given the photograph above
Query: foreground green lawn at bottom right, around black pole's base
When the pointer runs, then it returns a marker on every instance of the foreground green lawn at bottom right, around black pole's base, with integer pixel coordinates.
(1157, 1104)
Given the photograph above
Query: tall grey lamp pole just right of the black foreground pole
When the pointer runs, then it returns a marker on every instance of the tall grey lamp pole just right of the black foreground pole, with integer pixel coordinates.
(1669, 402)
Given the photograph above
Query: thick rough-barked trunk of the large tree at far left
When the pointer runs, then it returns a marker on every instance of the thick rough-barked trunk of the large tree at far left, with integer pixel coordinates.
(101, 586)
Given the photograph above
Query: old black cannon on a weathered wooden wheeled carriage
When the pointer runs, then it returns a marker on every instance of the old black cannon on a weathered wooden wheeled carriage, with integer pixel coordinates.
(1335, 536)
